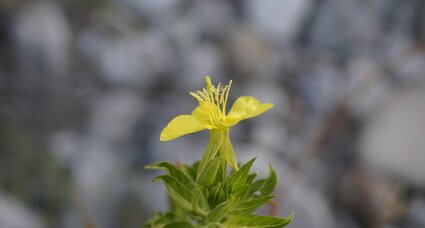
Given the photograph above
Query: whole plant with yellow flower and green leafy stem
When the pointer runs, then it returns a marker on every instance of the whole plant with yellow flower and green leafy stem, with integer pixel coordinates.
(205, 194)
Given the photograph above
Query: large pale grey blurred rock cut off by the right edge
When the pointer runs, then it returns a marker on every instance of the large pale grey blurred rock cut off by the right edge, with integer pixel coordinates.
(393, 139)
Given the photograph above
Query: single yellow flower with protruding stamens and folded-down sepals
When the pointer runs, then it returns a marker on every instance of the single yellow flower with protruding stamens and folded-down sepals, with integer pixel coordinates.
(211, 115)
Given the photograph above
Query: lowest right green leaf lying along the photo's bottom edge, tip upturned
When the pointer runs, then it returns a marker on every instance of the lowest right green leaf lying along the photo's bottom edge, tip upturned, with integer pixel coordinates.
(247, 221)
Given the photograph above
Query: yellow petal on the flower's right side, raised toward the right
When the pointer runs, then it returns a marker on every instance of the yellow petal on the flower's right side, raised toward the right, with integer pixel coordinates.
(246, 107)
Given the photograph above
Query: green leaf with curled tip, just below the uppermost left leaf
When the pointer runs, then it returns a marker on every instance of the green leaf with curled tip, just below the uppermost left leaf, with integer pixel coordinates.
(178, 192)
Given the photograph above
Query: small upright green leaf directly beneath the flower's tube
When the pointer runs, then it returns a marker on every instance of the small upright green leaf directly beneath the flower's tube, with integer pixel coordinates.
(212, 173)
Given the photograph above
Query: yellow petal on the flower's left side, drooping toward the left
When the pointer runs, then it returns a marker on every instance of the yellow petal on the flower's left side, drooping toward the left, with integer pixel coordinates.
(181, 125)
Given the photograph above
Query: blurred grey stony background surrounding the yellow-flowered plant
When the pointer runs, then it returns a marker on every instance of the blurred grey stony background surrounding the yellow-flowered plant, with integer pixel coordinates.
(87, 86)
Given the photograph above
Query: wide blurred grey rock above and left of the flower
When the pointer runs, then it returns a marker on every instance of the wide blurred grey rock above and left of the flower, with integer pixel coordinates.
(130, 58)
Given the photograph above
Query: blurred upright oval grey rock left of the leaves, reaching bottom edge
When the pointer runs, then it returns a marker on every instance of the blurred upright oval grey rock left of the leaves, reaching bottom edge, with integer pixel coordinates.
(99, 180)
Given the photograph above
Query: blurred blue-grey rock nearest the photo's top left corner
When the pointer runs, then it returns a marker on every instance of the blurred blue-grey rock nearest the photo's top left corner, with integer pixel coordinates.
(42, 37)
